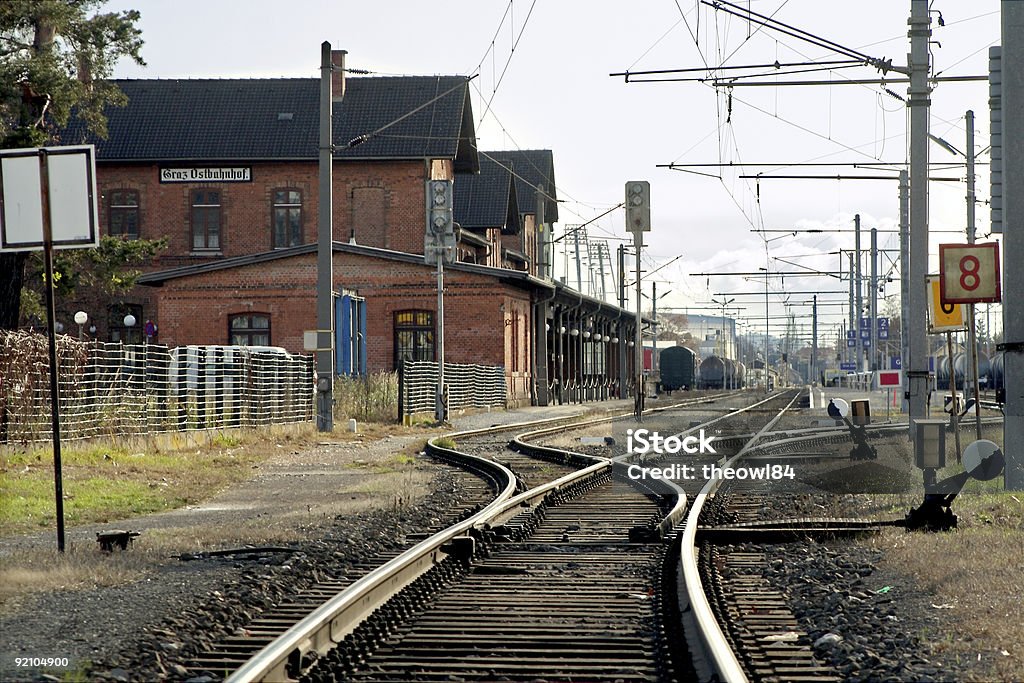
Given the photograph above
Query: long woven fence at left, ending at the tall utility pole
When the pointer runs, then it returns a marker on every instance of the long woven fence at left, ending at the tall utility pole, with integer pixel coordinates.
(129, 391)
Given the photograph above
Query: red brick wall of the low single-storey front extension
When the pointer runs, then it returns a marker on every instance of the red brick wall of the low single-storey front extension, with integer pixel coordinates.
(486, 322)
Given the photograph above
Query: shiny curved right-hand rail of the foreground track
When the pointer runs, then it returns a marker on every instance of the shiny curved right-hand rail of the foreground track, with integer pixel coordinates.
(719, 657)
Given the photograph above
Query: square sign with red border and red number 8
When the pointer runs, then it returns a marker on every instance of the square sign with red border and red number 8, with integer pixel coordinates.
(970, 274)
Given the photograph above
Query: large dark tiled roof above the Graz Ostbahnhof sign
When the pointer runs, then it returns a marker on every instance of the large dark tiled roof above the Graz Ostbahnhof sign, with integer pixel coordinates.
(272, 119)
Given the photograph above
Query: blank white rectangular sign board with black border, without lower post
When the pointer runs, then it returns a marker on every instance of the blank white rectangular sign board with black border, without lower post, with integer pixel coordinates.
(71, 180)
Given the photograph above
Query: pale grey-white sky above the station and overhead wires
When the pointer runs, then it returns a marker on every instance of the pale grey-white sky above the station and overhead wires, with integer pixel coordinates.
(553, 92)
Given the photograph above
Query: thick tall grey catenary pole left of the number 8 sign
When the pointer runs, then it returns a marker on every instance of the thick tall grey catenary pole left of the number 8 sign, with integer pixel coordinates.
(919, 101)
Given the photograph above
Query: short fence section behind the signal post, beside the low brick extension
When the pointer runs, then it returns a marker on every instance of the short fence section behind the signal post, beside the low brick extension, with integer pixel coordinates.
(470, 387)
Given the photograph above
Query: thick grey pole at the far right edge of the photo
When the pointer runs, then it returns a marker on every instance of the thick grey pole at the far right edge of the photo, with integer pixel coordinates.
(1013, 251)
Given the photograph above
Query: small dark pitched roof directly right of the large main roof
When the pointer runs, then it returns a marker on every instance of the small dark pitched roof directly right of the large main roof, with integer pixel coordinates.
(487, 200)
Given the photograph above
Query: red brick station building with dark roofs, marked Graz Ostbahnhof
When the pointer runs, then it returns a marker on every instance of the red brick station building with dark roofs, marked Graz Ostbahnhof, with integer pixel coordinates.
(228, 172)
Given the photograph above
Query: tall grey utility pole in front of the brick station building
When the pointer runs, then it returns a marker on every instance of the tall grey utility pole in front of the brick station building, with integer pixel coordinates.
(325, 260)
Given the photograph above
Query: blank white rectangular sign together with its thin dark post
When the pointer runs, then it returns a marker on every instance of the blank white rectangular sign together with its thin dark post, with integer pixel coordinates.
(50, 202)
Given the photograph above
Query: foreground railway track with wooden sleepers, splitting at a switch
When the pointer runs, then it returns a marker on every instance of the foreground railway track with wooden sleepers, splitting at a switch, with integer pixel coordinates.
(569, 574)
